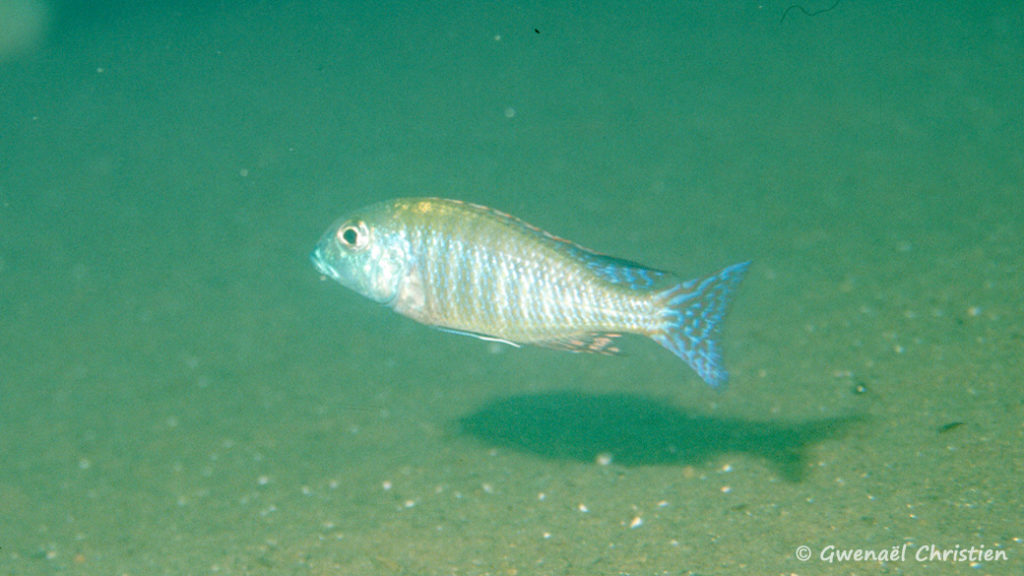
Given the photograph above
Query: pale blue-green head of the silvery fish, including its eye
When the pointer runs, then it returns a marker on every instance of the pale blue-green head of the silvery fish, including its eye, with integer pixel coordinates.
(365, 255)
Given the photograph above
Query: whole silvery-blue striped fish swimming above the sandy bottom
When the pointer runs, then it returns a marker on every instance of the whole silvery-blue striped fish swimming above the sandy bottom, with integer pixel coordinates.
(477, 271)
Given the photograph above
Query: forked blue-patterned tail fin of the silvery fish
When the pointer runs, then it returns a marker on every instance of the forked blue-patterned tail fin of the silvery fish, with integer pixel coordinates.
(691, 321)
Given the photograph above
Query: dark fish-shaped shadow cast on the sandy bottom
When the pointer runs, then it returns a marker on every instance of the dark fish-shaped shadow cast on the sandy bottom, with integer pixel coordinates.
(637, 431)
